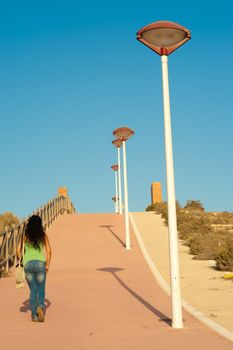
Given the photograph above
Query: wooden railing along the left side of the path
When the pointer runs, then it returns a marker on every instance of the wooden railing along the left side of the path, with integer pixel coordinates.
(12, 237)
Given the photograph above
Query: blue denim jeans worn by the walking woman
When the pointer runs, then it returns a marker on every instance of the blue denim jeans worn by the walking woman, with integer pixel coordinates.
(35, 274)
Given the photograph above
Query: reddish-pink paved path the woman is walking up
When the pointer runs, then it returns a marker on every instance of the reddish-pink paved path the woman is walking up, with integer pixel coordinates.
(99, 296)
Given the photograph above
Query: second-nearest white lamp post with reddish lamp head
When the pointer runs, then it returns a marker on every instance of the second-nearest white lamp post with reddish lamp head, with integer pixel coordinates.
(123, 134)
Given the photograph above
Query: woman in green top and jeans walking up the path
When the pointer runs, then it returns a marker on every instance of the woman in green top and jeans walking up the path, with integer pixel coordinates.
(36, 261)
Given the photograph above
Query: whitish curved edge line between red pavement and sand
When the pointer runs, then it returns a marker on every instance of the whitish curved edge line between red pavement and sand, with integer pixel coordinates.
(163, 284)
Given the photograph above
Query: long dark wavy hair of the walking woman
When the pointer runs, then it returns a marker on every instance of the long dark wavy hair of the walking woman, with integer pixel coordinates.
(34, 231)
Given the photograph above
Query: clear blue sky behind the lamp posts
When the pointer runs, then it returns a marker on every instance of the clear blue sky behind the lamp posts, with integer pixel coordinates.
(72, 71)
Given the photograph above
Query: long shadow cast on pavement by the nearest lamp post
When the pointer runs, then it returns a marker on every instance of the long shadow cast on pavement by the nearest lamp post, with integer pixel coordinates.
(113, 271)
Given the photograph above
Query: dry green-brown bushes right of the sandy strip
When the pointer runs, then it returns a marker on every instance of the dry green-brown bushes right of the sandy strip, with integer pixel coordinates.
(208, 235)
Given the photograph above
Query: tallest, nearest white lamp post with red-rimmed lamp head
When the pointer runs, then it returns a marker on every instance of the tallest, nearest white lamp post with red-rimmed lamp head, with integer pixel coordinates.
(164, 37)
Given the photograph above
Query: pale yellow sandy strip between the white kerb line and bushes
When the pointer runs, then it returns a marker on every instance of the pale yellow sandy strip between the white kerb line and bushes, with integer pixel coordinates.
(201, 285)
